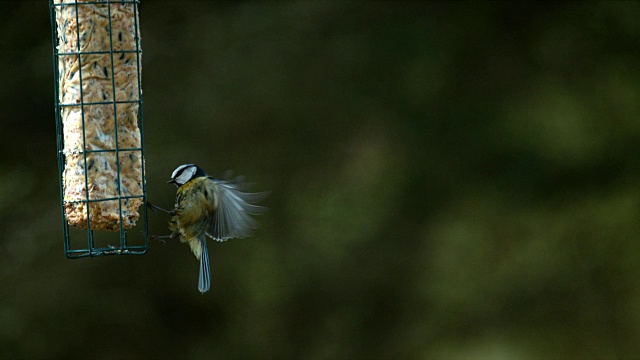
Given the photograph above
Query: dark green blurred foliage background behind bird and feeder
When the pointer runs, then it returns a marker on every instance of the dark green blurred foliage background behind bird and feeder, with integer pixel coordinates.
(450, 180)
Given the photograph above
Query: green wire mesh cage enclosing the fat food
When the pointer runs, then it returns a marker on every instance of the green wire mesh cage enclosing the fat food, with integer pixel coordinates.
(79, 243)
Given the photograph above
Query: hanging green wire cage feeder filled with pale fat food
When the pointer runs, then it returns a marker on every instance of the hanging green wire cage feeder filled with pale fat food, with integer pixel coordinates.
(99, 126)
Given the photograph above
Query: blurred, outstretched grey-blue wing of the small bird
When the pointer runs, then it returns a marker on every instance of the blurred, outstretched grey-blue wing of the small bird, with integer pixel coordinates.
(233, 217)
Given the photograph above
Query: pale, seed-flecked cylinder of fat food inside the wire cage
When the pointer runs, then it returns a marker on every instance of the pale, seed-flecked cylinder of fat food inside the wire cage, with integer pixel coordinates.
(111, 68)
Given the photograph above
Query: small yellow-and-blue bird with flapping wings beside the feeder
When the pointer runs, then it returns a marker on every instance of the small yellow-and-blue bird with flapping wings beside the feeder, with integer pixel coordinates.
(210, 207)
